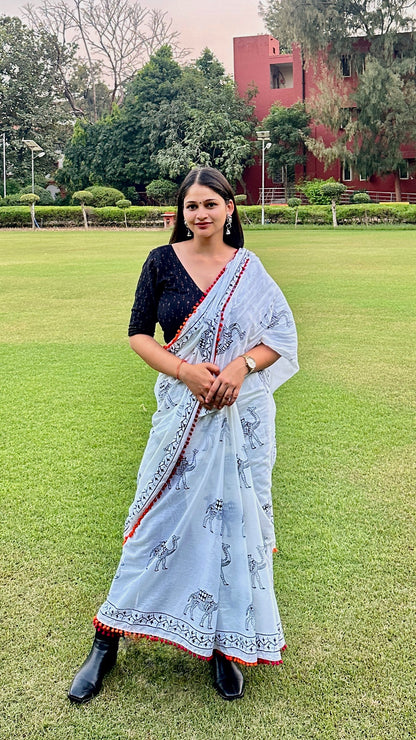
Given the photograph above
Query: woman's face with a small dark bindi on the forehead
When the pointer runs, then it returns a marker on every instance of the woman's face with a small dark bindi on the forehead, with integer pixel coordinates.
(205, 211)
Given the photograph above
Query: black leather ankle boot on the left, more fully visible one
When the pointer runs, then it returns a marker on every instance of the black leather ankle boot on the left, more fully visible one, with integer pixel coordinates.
(87, 682)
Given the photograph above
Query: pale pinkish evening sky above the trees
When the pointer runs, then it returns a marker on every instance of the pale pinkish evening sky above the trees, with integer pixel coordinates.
(211, 23)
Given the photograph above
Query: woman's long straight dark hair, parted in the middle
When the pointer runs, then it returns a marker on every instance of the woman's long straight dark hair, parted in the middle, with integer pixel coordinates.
(213, 179)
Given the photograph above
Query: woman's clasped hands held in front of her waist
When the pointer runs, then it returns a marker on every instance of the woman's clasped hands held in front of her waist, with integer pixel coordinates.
(214, 388)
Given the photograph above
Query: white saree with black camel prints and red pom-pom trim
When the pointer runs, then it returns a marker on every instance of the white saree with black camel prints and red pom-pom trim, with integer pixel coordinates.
(196, 567)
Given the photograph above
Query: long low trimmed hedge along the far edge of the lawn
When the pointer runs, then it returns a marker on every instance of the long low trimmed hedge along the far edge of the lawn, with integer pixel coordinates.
(145, 216)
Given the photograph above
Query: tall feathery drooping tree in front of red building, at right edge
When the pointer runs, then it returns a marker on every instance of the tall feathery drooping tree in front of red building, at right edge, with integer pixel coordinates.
(370, 120)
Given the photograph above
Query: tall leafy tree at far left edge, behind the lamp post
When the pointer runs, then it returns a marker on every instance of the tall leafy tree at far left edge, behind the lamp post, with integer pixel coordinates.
(30, 98)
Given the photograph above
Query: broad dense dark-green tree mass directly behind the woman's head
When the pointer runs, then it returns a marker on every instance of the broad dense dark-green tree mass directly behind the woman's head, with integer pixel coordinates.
(172, 118)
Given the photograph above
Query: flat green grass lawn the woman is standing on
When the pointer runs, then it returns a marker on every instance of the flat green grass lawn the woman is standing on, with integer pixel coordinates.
(76, 407)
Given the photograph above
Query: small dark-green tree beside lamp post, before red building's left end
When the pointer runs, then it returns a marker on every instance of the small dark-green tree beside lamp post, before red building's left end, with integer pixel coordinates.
(289, 128)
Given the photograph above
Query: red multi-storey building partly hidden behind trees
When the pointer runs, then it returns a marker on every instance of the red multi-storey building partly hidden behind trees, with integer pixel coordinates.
(281, 78)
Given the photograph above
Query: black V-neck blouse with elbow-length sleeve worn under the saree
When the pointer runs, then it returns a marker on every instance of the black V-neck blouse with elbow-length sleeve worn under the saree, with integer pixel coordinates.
(165, 294)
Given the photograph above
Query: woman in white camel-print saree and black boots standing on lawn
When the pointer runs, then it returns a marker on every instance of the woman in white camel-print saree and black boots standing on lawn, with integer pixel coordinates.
(196, 568)
